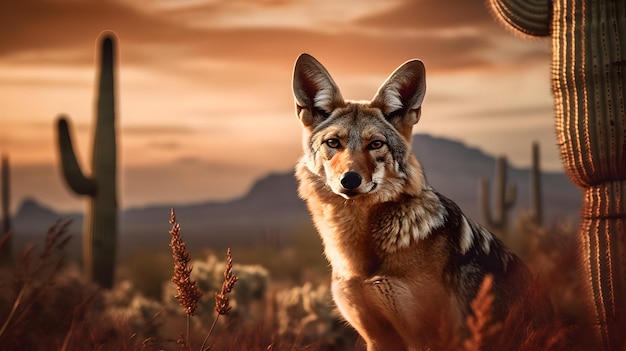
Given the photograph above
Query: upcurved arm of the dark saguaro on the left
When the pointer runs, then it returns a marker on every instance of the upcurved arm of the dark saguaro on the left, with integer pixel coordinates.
(74, 177)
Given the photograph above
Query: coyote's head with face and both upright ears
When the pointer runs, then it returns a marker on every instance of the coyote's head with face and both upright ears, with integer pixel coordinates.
(359, 149)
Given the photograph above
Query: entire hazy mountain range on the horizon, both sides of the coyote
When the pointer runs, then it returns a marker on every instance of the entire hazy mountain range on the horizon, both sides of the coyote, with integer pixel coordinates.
(271, 210)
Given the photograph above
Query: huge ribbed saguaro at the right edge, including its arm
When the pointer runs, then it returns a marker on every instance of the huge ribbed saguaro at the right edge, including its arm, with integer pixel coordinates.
(589, 86)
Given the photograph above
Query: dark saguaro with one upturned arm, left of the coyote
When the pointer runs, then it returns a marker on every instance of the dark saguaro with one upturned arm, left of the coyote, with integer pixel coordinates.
(100, 234)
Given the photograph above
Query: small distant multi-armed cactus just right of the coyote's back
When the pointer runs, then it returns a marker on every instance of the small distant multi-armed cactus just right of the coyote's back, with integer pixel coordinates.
(505, 195)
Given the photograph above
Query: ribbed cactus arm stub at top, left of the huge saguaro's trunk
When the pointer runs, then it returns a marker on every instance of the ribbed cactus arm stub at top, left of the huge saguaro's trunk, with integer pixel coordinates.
(530, 17)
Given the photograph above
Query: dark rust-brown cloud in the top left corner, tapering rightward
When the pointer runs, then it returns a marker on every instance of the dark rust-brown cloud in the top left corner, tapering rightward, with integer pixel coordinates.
(72, 26)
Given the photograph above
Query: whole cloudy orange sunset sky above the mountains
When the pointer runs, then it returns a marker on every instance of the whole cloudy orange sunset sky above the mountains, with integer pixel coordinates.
(204, 86)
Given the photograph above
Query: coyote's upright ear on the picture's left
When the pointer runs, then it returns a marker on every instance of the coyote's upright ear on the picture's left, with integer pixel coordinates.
(315, 91)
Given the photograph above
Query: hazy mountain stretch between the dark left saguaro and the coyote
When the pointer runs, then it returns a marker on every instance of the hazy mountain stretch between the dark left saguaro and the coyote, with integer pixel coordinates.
(270, 211)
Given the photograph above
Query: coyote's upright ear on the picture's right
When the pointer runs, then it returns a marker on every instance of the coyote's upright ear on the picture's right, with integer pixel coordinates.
(401, 95)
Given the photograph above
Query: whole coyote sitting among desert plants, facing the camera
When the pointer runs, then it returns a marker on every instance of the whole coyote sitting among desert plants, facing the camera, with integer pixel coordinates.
(401, 253)
